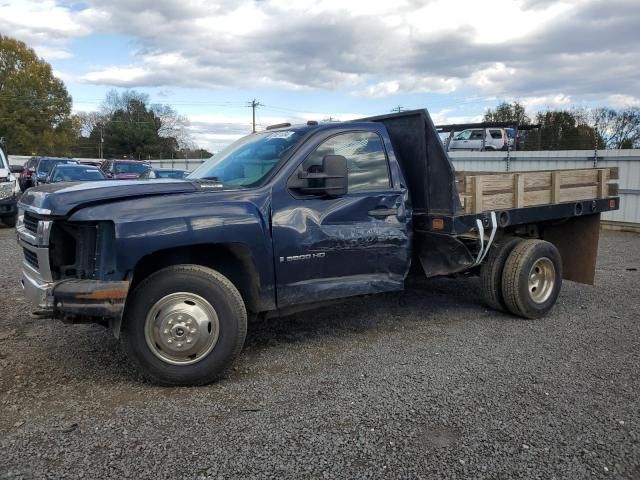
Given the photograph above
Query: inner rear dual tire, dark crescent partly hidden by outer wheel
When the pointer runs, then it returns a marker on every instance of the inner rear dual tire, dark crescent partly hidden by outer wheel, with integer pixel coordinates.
(491, 273)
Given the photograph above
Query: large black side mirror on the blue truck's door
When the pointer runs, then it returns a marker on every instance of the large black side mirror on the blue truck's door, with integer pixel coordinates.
(331, 181)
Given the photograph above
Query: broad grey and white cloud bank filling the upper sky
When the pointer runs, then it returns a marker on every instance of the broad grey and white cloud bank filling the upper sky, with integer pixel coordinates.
(549, 52)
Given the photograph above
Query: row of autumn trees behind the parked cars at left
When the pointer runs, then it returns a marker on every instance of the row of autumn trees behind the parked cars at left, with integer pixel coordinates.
(36, 118)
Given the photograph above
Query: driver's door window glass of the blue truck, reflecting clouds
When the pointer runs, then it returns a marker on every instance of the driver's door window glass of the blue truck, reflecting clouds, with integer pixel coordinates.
(366, 160)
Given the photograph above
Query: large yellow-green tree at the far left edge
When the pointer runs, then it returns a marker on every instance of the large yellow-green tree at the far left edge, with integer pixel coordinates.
(34, 105)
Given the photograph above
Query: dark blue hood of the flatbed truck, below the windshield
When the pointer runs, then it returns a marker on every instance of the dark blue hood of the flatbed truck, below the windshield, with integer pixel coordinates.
(59, 199)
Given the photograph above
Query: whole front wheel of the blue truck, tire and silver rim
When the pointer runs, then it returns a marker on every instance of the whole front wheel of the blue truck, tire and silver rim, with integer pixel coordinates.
(184, 325)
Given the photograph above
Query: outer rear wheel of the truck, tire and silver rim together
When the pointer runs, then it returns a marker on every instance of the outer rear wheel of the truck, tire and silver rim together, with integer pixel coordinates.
(519, 295)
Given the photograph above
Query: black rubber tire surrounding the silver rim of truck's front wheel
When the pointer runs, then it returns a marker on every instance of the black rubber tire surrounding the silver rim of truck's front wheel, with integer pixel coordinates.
(202, 282)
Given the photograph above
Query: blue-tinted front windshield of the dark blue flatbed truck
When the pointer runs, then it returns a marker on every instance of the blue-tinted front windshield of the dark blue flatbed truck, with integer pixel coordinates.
(249, 160)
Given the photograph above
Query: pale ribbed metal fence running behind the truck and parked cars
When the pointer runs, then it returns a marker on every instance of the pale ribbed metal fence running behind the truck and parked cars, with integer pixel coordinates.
(628, 162)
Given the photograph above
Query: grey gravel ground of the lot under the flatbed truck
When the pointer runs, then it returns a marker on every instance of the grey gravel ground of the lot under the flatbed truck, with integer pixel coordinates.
(423, 384)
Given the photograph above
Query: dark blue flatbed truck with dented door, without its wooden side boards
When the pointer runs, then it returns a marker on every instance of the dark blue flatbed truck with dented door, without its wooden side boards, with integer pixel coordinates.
(284, 220)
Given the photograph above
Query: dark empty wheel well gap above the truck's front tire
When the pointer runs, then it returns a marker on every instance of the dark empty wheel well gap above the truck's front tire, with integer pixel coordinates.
(233, 260)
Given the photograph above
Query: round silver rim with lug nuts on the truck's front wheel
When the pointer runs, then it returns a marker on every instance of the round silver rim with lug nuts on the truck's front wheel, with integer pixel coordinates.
(181, 328)
